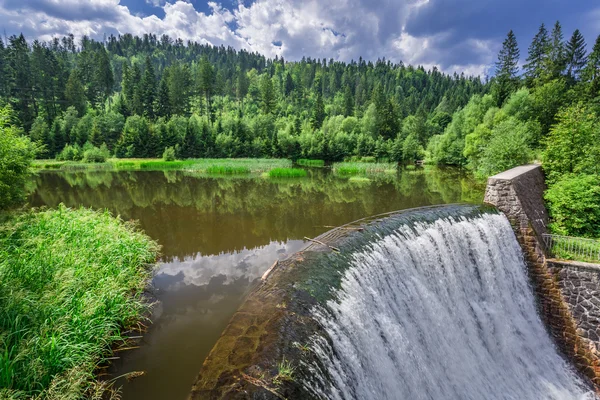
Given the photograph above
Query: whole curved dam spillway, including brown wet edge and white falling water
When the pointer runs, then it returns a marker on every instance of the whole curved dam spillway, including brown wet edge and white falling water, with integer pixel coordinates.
(428, 304)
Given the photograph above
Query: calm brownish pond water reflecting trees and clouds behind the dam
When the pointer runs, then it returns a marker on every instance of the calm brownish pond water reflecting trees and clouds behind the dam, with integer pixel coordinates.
(219, 235)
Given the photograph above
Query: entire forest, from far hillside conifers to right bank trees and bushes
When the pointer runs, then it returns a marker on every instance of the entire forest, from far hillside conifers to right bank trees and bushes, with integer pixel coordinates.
(148, 97)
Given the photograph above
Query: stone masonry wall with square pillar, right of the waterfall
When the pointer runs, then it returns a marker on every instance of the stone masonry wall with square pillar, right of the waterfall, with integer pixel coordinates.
(567, 293)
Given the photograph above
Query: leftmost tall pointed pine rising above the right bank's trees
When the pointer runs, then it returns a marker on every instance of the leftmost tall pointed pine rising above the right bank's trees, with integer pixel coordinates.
(507, 69)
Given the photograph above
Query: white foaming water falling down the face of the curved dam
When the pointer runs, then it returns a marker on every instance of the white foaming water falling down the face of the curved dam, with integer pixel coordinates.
(441, 311)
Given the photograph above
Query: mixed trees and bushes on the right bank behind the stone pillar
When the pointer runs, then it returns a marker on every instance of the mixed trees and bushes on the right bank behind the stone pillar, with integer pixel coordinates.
(548, 111)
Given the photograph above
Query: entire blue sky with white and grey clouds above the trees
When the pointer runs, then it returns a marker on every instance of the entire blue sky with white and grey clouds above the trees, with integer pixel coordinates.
(454, 35)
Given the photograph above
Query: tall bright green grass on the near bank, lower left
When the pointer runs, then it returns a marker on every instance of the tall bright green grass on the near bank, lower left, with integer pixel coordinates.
(70, 282)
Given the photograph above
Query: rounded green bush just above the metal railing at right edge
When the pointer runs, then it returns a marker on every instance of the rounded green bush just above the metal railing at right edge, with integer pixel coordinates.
(574, 205)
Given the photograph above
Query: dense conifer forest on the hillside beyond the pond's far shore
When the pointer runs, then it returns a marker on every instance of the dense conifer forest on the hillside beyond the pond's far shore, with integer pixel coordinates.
(141, 95)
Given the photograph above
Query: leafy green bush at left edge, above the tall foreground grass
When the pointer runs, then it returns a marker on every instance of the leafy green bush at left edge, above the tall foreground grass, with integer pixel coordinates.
(16, 155)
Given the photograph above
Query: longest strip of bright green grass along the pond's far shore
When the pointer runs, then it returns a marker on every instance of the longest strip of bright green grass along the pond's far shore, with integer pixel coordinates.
(202, 165)
